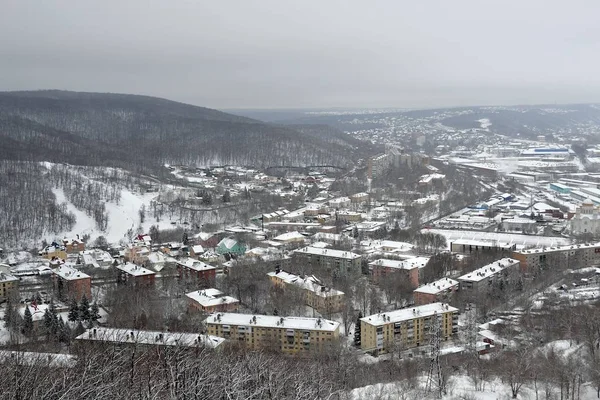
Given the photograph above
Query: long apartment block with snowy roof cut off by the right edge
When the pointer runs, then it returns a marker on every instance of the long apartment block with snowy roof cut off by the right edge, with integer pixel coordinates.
(570, 256)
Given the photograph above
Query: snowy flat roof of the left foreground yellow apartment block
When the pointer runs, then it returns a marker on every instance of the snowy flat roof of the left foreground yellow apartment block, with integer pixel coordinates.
(272, 321)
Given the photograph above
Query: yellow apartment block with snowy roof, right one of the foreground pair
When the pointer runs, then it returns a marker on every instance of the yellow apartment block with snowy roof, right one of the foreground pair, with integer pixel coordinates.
(406, 328)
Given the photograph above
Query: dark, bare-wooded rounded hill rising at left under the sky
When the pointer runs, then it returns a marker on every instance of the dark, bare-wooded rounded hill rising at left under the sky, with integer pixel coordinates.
(136, 132)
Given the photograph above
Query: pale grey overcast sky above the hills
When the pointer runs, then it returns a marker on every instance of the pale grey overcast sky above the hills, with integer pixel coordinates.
(293, 54)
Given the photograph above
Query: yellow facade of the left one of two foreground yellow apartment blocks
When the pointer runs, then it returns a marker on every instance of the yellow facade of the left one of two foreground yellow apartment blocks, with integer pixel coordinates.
(257, 337)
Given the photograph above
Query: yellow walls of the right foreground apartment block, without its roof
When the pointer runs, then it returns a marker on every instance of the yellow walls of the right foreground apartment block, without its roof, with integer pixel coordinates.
(406, 334)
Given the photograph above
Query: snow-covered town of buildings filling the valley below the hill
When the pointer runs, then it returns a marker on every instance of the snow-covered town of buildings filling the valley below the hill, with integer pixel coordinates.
(353, 259)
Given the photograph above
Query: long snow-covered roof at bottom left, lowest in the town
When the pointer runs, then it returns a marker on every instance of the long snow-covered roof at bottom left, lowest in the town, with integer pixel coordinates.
(158, 338)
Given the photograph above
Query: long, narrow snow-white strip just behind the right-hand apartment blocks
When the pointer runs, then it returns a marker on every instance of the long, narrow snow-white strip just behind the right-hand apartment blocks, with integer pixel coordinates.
(521, 241)
